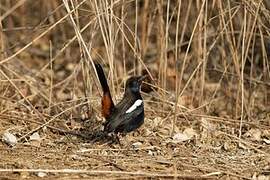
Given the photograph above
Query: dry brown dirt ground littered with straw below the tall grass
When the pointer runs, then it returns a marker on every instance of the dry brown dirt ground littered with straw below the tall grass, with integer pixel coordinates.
(201, 150)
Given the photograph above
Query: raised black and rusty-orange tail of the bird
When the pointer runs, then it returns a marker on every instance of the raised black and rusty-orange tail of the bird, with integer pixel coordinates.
(106, 102)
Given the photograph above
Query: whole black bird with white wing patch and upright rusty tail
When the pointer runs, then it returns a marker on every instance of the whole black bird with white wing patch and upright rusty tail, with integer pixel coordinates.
(128, 114)
